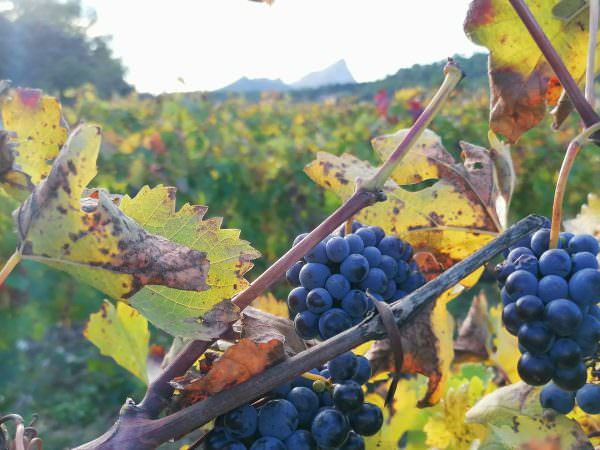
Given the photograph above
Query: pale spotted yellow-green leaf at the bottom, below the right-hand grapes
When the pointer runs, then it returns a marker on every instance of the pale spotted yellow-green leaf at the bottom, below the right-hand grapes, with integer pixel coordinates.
(516, 420)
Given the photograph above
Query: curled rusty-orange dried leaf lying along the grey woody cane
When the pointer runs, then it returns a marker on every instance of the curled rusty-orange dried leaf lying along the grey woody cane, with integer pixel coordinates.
(237, 364)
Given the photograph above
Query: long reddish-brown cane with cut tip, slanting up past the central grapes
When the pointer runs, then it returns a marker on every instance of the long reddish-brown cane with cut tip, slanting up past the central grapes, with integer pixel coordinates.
(159, 391)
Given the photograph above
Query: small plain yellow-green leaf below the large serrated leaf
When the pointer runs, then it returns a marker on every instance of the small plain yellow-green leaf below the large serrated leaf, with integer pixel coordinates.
(121, 333)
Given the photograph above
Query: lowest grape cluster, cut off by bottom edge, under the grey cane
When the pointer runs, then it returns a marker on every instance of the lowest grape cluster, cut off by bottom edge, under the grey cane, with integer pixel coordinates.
(304, 414)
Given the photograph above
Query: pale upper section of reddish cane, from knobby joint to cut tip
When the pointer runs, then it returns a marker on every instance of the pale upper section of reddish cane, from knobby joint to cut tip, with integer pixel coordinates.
(452, 76)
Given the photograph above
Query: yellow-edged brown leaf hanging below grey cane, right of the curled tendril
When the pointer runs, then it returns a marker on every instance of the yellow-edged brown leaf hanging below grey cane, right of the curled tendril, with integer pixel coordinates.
(427, 348)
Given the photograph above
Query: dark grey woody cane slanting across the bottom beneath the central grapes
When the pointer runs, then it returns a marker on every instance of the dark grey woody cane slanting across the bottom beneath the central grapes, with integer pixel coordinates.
(134, 431)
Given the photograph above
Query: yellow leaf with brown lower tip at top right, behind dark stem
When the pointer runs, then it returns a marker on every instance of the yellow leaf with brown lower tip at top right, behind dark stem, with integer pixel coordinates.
(519, 74)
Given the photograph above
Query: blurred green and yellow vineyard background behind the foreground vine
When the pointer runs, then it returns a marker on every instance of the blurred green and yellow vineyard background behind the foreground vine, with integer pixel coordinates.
(243, 156)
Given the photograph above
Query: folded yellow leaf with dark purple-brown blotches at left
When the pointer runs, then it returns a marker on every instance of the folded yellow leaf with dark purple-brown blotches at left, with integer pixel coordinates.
(91, 238)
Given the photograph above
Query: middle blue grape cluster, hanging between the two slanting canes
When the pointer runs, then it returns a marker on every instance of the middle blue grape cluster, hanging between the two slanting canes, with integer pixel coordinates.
(331, 280)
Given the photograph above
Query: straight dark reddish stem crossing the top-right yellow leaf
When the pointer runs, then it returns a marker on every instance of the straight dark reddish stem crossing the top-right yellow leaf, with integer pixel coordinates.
(585, 110)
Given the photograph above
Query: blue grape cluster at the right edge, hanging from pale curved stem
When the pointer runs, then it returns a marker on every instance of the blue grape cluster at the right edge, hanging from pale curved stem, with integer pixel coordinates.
(550, 299)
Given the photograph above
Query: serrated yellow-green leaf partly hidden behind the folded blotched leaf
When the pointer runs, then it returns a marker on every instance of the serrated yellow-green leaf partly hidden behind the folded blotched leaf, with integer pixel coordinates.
(188, 313)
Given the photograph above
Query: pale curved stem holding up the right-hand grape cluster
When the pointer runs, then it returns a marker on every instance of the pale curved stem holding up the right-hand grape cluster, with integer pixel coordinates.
(563, 177)
